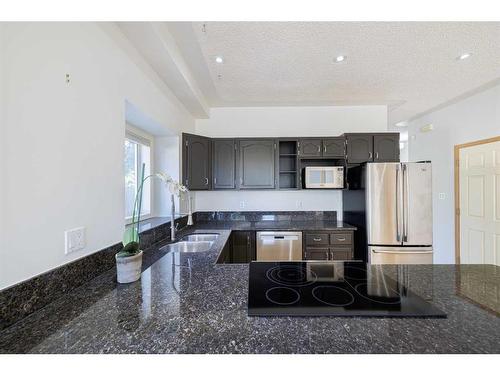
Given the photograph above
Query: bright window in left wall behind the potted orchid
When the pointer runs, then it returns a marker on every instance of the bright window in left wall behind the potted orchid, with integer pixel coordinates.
(137, 150)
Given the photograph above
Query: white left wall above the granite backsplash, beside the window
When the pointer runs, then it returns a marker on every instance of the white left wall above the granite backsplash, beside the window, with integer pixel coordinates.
(62, 143)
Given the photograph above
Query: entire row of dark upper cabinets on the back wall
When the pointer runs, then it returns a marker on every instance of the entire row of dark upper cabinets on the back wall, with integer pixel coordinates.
(267, 163)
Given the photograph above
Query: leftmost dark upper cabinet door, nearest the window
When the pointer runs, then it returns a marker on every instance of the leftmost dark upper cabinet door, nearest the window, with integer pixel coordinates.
(196, 162)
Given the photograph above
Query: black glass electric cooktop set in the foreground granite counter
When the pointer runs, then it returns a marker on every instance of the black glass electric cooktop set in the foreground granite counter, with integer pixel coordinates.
(330, 288)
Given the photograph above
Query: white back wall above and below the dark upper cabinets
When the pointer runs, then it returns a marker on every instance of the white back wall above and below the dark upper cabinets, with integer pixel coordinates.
(284, 122)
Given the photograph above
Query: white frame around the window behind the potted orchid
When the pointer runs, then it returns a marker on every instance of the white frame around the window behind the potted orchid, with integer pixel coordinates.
(144, 139)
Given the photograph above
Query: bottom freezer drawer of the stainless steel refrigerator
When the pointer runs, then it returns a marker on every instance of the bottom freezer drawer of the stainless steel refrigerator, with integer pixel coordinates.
(400, 255)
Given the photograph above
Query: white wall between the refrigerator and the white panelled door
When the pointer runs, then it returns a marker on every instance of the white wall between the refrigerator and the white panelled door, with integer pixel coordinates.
(474, 118)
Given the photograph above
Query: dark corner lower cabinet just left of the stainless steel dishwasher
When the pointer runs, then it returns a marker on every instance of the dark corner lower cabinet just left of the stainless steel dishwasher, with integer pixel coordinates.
(240, 248)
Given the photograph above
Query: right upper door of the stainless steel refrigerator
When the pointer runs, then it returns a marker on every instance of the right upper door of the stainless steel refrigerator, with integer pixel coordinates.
(417, 204)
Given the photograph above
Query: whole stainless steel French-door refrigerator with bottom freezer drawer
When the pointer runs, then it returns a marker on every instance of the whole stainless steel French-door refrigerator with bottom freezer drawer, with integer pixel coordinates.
(399, 213)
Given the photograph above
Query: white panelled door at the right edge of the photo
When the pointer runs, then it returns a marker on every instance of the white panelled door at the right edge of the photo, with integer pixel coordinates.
(480, 204)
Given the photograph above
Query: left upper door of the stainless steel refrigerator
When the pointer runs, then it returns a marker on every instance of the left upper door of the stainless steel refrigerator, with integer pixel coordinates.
(384, 203)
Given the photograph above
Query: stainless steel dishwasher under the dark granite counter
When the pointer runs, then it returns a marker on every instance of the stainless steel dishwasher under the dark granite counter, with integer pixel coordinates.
(279, 246)
